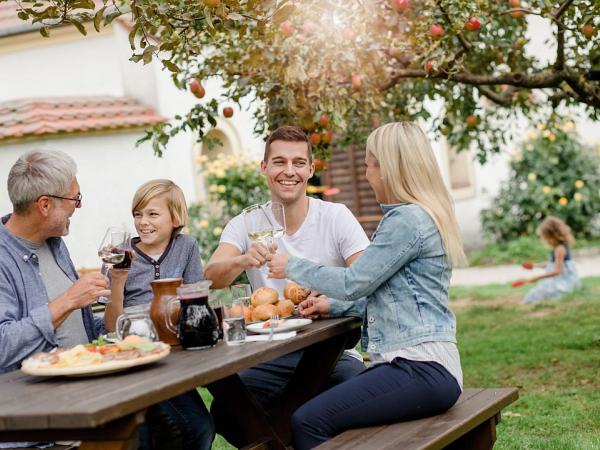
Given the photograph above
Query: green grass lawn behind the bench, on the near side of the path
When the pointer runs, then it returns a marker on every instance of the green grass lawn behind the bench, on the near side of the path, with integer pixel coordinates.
(551, 351)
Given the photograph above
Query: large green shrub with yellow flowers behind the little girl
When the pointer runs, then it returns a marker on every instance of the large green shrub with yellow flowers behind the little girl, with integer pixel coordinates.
(553, 173)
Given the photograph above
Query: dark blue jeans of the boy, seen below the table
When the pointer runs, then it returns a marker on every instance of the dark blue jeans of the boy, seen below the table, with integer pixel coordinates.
(180, 423)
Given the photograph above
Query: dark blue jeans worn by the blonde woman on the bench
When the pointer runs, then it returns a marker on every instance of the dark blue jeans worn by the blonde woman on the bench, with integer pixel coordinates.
(386, 393)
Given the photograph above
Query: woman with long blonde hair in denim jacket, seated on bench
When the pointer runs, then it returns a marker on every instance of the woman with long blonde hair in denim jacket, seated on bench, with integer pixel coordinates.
(400, 288)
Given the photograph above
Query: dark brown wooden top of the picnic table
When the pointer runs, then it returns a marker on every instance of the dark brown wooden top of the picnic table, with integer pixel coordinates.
(28, 402)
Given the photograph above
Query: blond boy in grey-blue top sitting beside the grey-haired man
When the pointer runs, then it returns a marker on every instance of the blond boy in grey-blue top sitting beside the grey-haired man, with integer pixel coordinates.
(161, 251)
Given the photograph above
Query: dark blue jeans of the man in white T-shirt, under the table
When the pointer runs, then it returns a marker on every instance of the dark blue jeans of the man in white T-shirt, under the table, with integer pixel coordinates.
(267, 382)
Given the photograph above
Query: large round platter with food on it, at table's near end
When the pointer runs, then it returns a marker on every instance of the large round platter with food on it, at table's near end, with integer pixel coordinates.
(96, 358)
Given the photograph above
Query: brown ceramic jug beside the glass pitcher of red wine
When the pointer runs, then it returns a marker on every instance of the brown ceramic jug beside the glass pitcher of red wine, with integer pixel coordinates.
(163, 290)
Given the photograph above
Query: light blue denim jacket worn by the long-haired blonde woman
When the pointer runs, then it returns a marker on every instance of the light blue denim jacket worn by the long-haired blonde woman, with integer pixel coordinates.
(404, 275)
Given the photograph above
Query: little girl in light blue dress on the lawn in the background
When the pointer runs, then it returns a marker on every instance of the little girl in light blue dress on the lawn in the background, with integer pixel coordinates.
(561, 275)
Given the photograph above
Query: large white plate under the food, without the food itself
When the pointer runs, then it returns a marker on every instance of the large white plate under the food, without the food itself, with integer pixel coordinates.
(95, 369)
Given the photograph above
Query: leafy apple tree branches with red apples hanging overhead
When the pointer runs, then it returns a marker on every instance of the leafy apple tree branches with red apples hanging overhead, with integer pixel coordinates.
(347, 66)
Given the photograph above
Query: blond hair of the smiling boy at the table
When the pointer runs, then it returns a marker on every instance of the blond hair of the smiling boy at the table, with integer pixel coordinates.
(174, 196)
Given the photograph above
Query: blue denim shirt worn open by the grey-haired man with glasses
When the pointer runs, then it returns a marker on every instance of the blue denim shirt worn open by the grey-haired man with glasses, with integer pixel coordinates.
(25, 321)
